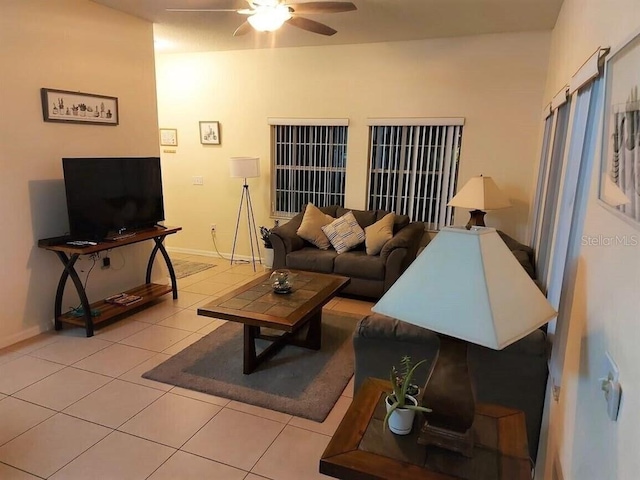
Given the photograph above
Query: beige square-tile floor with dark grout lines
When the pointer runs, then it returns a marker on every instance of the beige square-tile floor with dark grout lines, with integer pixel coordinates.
(76, 408)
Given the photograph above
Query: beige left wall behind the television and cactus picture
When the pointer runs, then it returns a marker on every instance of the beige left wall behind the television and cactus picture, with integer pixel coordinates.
(69, 45)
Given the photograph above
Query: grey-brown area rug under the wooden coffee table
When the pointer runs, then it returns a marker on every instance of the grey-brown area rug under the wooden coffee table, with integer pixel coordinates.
(298, 381)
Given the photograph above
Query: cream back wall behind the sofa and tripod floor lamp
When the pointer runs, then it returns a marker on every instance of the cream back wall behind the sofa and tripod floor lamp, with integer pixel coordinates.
(494, 81)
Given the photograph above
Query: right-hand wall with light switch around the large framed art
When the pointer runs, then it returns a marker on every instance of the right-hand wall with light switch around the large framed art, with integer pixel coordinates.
(583, 442)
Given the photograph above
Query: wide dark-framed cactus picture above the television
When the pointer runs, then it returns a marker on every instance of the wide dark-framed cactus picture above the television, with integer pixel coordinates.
(78, 107)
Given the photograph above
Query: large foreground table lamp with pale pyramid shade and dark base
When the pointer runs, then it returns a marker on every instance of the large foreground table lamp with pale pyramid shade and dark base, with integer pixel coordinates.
(467, 286)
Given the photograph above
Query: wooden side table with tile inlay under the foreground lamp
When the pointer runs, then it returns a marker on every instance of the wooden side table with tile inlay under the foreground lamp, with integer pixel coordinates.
(361, 450)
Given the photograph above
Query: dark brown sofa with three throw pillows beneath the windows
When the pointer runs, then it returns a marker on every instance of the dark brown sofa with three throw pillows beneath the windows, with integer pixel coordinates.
(371, 275)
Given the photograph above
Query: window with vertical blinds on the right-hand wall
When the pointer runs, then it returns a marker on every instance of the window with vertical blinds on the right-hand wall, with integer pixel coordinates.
(564, 180)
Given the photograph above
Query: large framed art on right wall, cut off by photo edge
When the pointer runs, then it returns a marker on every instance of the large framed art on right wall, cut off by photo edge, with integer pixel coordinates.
(620, 160)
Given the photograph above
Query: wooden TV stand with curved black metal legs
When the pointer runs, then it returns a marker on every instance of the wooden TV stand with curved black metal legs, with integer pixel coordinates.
(69, 255)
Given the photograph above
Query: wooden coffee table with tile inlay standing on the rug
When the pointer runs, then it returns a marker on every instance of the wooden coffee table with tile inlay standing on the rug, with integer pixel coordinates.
(256, 306)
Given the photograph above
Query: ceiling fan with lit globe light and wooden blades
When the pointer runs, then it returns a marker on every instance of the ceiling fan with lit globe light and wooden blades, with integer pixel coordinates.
(269, 15)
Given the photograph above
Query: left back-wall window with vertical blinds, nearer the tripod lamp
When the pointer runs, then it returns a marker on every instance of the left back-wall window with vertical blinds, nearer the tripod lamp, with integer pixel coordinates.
(309, 160)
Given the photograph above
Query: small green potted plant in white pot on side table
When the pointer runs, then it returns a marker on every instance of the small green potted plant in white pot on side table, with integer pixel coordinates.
(401, 403)
